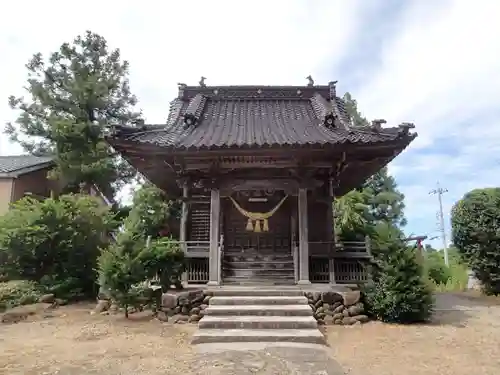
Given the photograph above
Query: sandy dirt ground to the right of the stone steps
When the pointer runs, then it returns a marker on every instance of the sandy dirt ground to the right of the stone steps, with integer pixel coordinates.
(464, 339)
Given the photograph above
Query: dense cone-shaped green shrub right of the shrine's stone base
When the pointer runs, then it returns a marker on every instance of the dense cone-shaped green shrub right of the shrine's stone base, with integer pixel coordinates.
(397, 291)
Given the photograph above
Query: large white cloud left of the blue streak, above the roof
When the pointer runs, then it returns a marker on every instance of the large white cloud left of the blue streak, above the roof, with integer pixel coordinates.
(267, 42)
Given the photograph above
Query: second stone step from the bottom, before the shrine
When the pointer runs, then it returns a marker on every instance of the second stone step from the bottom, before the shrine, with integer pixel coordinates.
(257, 322)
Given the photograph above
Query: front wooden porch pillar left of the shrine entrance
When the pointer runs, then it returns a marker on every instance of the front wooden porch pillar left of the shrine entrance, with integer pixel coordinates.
(214, 261)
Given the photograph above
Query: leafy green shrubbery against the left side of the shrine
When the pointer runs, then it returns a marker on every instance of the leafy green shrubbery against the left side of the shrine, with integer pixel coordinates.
(130, 262)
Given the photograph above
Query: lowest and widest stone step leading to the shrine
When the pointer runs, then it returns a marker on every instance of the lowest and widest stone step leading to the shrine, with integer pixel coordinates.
(308, 336)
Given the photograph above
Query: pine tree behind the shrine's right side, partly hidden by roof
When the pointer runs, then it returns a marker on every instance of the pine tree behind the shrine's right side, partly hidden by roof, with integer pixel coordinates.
(385, 200)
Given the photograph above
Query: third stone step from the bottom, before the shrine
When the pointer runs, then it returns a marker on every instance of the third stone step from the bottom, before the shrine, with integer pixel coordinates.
(258, 310)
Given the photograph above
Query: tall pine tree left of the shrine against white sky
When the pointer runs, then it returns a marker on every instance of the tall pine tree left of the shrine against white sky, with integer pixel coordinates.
(73, 95)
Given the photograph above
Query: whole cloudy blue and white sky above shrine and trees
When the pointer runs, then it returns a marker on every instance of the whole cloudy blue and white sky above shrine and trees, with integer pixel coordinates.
(436, 64)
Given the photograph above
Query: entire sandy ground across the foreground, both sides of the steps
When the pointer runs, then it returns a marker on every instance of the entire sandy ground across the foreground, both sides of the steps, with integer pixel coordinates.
(463, 339)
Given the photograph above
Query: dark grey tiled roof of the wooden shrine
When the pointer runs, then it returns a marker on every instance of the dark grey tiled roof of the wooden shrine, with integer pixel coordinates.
(252, 116)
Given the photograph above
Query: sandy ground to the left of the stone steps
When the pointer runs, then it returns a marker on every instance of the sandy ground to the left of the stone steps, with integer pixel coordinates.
(75, 342)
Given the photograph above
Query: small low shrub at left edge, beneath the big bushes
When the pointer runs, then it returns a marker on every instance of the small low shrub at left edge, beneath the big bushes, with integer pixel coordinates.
(18, 292)
